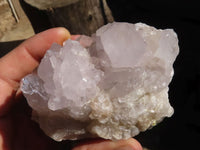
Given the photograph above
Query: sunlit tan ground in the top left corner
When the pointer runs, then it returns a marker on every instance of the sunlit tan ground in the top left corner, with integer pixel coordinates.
(10, 29)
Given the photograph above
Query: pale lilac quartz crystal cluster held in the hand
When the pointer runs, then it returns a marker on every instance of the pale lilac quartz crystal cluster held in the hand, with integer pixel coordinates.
(111, 85)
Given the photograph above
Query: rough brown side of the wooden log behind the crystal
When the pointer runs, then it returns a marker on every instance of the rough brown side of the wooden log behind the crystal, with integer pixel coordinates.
(83, 17)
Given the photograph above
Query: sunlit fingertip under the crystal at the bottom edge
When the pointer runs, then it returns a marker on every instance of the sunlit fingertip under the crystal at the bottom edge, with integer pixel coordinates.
(130, 144)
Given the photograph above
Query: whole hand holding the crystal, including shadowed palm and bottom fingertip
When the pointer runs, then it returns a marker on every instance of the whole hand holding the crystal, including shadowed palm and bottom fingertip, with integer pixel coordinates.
(17, 130)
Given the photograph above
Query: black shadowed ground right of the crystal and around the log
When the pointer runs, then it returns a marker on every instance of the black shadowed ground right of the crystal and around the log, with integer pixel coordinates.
(182, 131)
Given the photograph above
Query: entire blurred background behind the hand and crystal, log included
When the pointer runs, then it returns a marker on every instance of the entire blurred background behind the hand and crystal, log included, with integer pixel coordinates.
(20, 20)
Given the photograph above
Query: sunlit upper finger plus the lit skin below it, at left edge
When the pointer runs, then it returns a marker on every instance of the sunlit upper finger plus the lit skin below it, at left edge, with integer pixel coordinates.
(23, 60)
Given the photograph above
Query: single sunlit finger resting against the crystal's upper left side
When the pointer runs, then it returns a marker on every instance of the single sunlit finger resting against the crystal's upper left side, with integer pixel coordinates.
(23, 59)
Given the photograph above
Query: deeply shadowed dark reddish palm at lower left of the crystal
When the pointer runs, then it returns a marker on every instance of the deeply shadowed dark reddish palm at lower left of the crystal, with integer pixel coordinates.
(20, 132)
